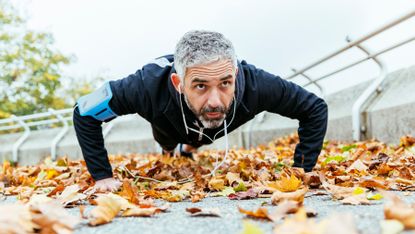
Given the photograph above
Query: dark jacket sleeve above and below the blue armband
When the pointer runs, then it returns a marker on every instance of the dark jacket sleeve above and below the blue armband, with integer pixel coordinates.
(128, 97)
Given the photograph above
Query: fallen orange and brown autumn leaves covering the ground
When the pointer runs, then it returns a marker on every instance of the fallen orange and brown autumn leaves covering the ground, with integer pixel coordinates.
(354, 174)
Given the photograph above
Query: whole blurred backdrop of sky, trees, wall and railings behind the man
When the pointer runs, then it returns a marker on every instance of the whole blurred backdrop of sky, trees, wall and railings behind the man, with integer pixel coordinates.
(52, 52)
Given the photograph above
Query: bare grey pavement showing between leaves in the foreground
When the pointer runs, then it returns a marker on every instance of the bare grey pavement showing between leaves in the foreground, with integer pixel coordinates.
(177, 219)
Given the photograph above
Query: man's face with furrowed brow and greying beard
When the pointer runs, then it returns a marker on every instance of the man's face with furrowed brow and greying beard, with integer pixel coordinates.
(209, 90)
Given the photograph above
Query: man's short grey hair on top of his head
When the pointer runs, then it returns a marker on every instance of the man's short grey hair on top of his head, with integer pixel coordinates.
(200, 47)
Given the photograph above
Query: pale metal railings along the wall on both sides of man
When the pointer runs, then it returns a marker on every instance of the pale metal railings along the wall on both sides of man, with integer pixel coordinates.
(65, 116)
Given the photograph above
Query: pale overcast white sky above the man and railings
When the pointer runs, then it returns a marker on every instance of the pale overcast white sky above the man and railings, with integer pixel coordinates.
(97, 40)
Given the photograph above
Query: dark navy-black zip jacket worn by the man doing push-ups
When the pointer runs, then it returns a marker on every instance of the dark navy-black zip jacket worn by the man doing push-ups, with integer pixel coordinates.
(150, 93)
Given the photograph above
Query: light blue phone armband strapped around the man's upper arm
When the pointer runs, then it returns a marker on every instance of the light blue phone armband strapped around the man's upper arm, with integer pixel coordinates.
(96, 104)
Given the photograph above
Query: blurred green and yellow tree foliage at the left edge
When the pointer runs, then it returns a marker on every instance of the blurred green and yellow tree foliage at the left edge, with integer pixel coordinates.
(30, 68)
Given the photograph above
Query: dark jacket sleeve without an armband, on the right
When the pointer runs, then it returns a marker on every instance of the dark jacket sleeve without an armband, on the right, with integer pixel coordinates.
(282, 97)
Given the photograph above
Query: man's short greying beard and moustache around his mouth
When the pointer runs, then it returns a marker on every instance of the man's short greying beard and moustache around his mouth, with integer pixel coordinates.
(208, 122)
